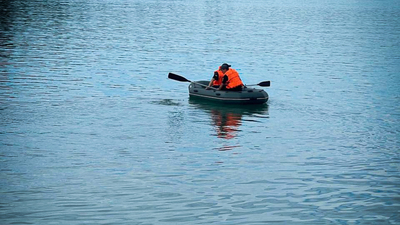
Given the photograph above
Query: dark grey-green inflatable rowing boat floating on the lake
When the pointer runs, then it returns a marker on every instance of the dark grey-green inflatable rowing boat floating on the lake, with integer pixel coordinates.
(246, 96)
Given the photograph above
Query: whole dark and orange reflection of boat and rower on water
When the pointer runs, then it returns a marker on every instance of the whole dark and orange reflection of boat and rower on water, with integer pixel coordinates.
(228, 118)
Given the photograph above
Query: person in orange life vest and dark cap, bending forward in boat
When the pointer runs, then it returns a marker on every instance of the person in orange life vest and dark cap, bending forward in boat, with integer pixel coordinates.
(226, 78)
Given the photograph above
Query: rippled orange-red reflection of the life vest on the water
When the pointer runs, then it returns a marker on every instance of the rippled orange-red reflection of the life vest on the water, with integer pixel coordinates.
(226, 124)
